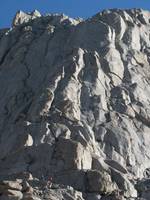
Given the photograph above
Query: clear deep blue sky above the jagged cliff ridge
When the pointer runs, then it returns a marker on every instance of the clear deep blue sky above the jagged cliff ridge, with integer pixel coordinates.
(73, 8)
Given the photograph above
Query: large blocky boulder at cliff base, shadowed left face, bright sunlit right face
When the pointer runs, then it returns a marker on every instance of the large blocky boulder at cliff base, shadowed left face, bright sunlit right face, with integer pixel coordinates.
(71, 155)
